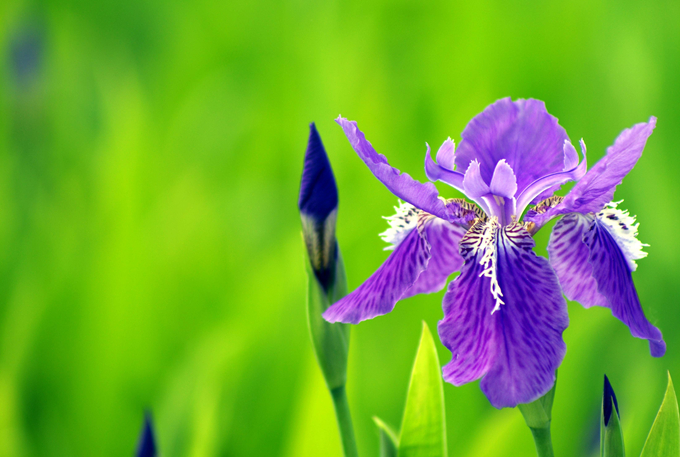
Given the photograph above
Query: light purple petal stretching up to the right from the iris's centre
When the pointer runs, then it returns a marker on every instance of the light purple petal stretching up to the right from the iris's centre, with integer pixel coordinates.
(596, 188)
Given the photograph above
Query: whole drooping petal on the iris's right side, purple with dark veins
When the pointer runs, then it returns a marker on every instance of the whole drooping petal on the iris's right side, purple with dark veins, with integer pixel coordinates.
(593, 263)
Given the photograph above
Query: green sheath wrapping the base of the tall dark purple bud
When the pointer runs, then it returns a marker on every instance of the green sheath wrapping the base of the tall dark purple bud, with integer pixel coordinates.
(331, 341)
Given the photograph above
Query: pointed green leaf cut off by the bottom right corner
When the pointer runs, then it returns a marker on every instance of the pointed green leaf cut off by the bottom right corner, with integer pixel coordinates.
(664, 437)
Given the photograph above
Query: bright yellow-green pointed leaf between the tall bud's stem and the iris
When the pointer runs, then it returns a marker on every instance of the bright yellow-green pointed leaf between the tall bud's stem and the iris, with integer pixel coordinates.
(423, 428)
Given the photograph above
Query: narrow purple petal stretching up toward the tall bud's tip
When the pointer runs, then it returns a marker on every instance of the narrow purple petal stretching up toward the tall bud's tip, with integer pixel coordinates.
(421, 195)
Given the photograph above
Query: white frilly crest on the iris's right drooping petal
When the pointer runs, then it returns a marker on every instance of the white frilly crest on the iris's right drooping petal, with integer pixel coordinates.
(623, 228)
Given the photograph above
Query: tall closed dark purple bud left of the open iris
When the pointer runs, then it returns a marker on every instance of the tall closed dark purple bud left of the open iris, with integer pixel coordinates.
(318, 209)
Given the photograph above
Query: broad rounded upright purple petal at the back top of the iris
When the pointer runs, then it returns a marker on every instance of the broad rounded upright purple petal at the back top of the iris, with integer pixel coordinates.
(522, 133)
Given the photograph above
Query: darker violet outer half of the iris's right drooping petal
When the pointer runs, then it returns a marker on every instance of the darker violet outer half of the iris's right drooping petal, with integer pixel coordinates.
(612, 272)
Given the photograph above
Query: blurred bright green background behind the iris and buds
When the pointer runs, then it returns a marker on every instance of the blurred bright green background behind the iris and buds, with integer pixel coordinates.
(150, 248)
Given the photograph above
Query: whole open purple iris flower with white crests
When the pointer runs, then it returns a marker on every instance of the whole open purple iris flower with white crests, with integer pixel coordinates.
(504, 314)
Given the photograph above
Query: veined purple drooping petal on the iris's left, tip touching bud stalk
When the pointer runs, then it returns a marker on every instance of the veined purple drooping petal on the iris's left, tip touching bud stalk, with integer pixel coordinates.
(420, 263)
